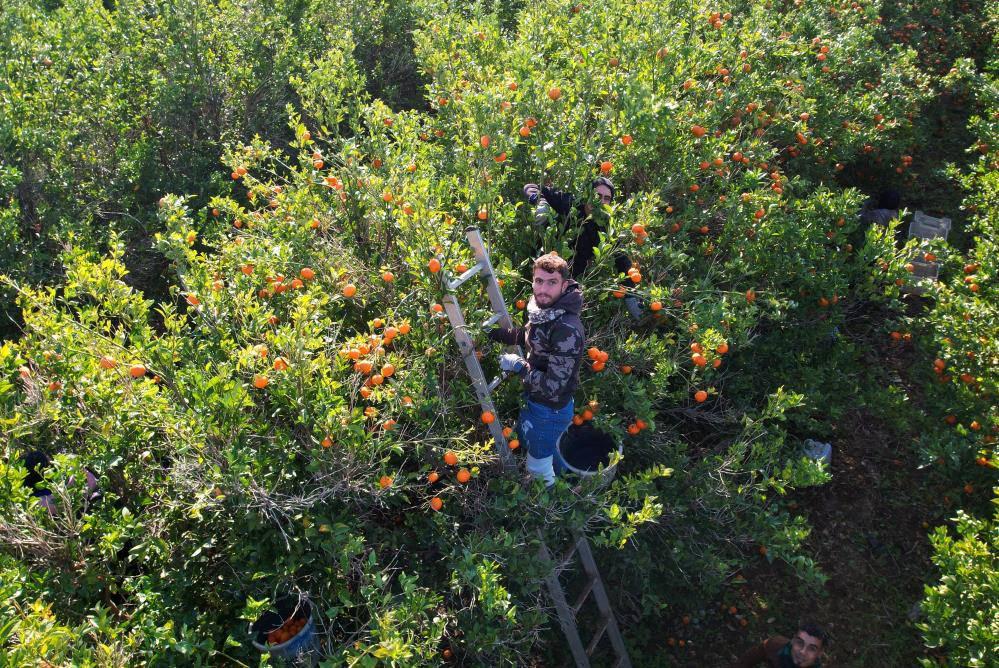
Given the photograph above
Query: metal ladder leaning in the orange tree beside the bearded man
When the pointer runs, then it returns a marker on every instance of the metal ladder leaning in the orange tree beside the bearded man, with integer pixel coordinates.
(594, 584)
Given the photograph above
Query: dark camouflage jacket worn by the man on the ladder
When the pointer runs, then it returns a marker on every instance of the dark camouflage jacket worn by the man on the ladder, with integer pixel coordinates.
(555, 339)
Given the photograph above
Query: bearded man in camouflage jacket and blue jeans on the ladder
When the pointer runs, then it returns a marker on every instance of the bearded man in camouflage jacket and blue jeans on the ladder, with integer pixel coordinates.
(554, 339)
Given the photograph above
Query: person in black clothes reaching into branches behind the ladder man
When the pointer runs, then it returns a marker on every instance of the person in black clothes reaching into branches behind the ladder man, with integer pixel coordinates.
(578, 216)
